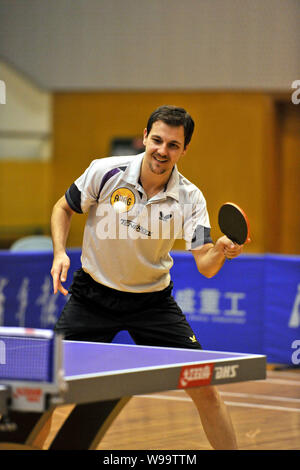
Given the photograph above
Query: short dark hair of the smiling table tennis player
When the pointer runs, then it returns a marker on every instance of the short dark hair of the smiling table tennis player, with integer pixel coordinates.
(173, 116)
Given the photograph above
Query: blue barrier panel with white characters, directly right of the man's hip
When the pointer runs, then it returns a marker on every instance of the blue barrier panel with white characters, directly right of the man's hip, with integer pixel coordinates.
(225, 311)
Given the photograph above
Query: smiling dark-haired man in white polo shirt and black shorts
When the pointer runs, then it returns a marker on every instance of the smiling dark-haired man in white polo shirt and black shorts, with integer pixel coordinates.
(137, 206)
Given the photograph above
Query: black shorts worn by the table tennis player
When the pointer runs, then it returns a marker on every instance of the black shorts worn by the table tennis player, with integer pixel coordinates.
(95, 312)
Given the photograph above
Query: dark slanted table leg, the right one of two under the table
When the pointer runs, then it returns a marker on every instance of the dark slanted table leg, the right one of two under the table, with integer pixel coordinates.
(87, 424)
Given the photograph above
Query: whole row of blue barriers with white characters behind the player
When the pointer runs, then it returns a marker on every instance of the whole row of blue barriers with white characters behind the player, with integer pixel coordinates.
(252, 305)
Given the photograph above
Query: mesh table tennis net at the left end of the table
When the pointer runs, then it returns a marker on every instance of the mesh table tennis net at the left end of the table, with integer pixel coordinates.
(26, 359)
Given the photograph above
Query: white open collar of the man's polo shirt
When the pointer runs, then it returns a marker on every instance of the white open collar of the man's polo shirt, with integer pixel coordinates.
(132, 174)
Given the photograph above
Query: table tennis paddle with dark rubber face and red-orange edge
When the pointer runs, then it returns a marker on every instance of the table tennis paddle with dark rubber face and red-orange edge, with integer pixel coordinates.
(234, 223)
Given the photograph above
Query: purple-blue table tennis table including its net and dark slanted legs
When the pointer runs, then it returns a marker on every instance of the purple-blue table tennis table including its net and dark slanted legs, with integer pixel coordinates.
(39, 371)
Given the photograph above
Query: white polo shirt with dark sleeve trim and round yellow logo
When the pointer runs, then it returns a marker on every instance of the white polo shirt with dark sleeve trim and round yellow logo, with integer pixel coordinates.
(129, 249)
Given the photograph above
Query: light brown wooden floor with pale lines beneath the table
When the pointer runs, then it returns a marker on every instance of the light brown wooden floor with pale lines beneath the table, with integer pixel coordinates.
(265, 414)
